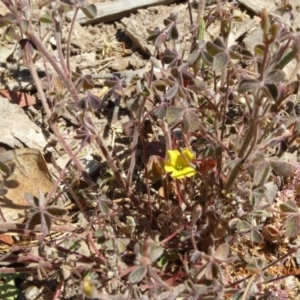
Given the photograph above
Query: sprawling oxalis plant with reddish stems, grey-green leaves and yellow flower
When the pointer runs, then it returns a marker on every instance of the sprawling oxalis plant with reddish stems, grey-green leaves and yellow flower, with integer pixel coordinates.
(196, 213)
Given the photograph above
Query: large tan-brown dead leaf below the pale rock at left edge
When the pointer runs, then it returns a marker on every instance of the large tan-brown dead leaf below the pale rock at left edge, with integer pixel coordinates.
(29, 173)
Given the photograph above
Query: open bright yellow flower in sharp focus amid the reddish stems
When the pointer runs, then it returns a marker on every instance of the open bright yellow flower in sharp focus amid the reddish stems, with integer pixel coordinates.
(179, 164)
